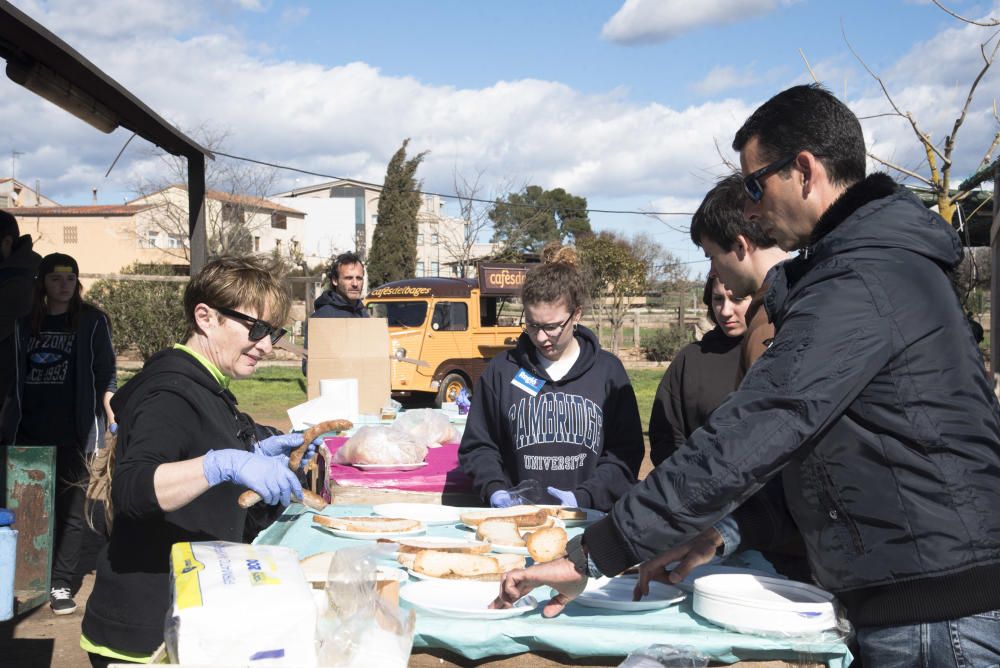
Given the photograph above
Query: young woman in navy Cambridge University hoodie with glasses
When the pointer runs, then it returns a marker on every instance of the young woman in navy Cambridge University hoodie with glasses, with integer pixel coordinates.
(556, 409)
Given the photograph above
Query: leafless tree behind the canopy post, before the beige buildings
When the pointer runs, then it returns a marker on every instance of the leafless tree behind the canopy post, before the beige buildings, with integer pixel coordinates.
(236, 209)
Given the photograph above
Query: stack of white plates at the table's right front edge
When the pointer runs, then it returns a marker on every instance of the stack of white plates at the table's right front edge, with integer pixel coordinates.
(764, 605)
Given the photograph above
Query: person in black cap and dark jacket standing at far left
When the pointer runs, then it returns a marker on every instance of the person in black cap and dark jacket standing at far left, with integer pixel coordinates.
(65, 379)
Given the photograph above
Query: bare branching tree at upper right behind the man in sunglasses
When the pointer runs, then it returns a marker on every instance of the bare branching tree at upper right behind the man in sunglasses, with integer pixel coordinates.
(939, 158)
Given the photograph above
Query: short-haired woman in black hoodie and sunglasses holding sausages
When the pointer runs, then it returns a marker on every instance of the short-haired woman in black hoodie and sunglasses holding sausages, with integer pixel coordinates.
(185, 453)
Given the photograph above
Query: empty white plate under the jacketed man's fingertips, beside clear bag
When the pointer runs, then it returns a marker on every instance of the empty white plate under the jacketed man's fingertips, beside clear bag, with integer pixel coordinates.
(462, 599)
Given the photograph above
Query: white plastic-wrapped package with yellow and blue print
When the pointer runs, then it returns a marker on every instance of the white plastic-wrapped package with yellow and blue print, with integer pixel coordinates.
(236, 604)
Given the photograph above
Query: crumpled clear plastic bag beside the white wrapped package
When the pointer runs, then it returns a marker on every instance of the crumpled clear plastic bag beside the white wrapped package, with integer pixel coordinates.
(356, 628)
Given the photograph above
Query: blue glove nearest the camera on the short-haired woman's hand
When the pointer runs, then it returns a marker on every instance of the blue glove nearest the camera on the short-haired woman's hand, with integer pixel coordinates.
(268, 476)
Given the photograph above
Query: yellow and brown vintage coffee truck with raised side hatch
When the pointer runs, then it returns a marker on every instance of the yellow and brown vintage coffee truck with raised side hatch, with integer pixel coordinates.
(444, 331)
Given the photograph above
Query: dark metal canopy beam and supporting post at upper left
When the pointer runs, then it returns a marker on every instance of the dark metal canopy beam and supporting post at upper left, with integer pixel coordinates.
(26, 43)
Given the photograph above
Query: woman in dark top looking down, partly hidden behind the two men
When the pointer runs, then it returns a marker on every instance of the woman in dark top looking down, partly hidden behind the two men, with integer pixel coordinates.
(701, 375)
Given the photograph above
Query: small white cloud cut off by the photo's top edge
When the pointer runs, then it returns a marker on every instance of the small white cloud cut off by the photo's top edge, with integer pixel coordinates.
(646, 21)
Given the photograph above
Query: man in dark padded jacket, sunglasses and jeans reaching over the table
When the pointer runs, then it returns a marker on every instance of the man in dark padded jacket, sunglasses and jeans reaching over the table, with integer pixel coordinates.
(871, 403)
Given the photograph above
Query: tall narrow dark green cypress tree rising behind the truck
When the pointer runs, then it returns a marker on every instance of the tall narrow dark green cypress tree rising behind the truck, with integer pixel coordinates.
(394, 243)
